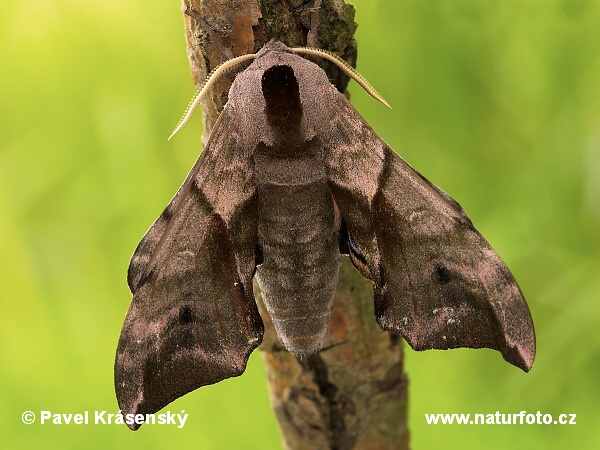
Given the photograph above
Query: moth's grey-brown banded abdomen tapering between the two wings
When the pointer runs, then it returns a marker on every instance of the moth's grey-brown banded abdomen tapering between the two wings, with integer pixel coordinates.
(299, 241)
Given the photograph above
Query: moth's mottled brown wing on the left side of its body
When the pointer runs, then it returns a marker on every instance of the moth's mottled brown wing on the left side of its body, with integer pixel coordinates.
(193, 319)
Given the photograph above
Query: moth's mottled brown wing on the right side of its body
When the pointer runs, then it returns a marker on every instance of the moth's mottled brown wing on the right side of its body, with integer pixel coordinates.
(437, 281)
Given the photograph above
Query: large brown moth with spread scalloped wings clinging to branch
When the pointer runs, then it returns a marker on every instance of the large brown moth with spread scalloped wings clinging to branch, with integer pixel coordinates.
(292, 177)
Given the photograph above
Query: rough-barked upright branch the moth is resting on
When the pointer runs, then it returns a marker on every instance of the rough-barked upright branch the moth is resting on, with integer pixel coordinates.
(353, 393)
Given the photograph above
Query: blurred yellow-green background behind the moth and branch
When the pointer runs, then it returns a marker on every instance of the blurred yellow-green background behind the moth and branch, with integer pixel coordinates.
(497, 102)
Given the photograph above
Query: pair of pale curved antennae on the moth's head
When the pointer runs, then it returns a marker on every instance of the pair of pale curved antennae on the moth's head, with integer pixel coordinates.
(274, 46)
